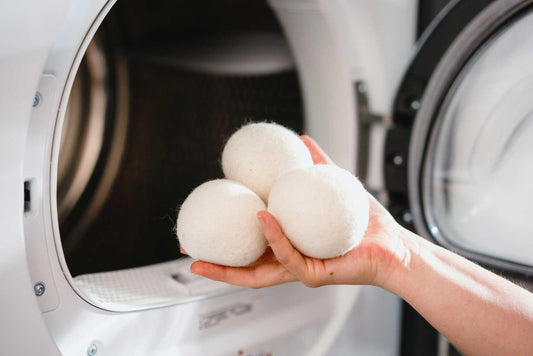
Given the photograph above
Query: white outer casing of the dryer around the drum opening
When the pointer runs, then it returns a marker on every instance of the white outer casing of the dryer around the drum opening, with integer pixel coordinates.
(335, 44)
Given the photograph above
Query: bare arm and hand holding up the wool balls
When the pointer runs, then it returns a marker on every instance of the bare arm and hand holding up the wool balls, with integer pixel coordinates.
(478, 311)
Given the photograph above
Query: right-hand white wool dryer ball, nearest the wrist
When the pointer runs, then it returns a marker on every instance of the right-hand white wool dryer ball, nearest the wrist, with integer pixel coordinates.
(323, 210)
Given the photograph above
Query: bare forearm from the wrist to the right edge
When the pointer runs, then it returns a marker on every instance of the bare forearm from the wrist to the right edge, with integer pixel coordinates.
(478, 311)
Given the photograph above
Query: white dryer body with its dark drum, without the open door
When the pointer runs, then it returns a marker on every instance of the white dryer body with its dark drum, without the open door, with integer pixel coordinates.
(111, 114)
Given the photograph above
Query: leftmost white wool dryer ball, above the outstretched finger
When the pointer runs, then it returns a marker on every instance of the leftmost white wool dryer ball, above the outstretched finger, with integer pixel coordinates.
(217, 223)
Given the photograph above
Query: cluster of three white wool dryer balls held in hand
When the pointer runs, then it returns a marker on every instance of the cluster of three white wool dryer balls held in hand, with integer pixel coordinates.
(323, 210)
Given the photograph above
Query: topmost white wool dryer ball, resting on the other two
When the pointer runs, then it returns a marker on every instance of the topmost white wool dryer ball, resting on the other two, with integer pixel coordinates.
(257, 154)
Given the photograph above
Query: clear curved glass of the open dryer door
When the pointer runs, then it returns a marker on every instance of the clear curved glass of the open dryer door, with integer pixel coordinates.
(478, 176)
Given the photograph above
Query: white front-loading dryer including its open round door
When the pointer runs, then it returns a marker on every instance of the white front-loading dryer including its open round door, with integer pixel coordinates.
(112, 113)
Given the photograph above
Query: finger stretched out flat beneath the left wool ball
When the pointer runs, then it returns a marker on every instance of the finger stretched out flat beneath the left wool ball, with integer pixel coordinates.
(260, 276)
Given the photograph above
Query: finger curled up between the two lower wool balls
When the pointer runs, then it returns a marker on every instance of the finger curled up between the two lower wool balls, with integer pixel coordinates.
(286, 254)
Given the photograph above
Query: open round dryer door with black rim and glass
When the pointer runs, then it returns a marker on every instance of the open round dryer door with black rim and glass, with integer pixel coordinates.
(459, 165)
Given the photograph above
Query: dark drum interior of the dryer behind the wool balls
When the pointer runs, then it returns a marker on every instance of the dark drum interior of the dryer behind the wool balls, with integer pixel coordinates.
(143, 129)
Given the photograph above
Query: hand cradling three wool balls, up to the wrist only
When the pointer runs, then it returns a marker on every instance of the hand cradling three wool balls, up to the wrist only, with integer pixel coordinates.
(371, 262)
